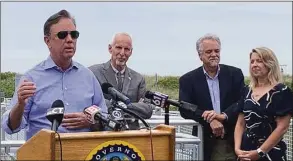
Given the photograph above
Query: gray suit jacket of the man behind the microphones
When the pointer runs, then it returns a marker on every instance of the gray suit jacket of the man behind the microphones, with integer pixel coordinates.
(134, 86)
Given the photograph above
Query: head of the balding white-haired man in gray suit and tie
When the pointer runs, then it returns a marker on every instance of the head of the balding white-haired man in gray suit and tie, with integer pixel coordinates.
(120, 50)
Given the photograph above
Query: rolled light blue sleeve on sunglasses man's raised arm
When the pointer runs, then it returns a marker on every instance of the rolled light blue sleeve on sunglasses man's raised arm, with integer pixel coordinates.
(6, 115)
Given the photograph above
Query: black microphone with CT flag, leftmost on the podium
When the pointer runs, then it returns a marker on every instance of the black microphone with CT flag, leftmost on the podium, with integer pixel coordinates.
(55, 114)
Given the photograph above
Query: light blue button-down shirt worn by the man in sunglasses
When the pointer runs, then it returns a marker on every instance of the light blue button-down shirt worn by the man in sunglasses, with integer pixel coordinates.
(77, 87)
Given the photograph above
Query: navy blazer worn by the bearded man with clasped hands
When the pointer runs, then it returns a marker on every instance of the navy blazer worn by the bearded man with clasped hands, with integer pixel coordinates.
(193, 88)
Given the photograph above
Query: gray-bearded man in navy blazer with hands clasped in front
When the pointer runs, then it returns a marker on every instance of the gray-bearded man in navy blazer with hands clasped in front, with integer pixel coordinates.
(215, 88)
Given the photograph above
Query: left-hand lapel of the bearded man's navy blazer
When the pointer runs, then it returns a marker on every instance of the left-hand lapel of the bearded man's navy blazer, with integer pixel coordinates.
(204, 87)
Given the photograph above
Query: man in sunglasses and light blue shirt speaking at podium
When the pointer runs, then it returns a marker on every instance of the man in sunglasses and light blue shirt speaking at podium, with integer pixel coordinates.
(57, 77)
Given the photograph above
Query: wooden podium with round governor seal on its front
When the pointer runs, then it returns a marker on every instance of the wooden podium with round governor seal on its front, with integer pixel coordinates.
(106, 145)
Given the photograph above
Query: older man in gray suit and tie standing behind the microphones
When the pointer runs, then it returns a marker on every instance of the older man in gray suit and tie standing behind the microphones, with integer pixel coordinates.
(127, 81)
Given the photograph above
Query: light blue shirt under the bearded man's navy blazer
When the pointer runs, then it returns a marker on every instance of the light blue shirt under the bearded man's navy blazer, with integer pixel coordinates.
(213, 83)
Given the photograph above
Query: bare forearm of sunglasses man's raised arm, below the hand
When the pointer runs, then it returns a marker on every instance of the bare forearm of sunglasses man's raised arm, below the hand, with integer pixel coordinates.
(15, 116)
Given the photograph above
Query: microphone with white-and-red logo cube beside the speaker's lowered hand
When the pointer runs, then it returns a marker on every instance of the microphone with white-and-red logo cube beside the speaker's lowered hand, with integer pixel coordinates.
(94, 116)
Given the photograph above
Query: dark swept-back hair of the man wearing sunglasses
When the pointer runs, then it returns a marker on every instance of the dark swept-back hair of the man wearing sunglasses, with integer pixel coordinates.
(54, 19)
